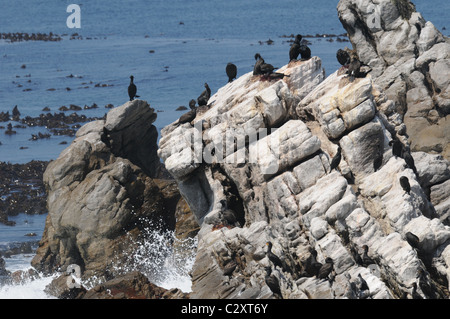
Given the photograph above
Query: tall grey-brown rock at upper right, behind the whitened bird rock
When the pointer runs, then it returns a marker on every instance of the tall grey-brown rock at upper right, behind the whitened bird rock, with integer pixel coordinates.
(410, 61)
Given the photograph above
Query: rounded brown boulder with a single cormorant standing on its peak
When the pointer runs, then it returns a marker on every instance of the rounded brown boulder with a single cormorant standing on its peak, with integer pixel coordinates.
(98, 196)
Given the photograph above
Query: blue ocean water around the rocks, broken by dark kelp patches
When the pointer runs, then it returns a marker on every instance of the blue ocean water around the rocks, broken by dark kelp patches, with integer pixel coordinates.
(171, 47)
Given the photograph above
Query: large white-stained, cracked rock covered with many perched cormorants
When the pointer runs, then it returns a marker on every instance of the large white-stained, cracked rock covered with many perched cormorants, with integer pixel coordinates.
(280, 187)
